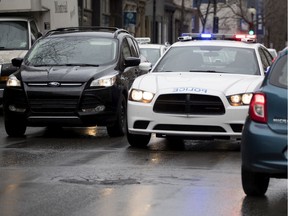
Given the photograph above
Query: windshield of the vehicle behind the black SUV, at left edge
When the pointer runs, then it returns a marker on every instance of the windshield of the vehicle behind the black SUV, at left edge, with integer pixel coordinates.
(13, 35)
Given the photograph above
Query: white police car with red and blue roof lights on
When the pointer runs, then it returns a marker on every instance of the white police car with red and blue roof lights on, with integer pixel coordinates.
(198, 88)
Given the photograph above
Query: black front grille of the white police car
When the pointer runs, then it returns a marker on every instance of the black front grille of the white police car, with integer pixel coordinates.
(193, 104)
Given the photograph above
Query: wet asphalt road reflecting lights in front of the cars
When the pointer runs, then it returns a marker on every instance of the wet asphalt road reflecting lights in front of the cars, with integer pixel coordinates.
(83, 172)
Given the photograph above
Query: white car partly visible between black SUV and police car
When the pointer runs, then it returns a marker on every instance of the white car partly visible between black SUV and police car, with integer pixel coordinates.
(151, 51)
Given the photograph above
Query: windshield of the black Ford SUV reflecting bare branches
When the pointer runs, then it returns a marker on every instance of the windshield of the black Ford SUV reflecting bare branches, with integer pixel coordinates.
(72, 51)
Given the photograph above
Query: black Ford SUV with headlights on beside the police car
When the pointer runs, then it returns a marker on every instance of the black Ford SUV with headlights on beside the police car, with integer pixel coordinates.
(73, 77)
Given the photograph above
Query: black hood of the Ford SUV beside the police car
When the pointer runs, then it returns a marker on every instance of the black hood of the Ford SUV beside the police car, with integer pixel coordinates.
(62, 73)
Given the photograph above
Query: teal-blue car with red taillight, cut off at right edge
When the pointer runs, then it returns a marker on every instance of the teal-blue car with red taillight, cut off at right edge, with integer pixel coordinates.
(264, 139)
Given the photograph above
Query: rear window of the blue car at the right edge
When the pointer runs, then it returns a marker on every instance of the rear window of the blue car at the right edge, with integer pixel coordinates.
(278, 74)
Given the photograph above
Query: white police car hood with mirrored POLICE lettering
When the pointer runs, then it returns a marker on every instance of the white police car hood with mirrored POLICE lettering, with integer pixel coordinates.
(198, 82)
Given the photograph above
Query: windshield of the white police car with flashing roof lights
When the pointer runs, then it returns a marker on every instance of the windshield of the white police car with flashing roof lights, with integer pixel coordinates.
(210, 59)
